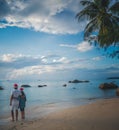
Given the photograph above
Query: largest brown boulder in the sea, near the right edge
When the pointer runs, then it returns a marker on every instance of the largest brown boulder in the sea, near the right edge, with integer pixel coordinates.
(108, 86)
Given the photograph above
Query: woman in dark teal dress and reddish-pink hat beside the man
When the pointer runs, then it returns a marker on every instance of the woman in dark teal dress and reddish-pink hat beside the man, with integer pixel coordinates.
(22, 103)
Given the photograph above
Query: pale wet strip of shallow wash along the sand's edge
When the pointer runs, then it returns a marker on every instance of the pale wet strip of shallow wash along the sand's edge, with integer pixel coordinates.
(35, 111)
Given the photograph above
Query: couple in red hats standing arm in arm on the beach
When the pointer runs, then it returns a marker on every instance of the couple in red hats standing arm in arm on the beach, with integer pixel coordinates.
(17, 100)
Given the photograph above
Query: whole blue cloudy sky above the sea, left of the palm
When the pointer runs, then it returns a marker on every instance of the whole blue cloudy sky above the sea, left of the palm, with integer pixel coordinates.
(42, 39)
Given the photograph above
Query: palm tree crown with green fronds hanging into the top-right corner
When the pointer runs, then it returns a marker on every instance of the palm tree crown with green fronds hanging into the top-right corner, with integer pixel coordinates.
(103, 16)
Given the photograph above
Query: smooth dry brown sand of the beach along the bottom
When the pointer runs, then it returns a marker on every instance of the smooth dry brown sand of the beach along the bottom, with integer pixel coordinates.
(100, 115)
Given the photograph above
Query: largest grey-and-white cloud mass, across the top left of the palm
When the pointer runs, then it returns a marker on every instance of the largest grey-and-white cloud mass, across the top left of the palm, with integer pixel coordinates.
(50, 16)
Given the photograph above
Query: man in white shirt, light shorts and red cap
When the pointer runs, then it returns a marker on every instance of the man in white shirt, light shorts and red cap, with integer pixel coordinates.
(14, 102)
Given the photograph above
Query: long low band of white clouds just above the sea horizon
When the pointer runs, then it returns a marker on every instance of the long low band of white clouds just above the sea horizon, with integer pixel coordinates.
(20, 66)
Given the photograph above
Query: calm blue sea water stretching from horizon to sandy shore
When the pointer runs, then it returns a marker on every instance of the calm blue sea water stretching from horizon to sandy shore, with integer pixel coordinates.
(54, 95)
